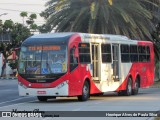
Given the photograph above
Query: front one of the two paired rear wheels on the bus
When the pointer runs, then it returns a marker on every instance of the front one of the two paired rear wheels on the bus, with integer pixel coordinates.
(128, 90)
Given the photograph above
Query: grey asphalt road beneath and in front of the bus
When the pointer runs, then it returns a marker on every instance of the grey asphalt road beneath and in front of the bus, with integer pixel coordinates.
(147, 100)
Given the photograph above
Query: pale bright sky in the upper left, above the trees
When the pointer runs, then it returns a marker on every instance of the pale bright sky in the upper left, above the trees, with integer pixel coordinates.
(13, 8)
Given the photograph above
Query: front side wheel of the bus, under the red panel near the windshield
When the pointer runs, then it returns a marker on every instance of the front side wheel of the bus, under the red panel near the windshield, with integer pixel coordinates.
(85, 92)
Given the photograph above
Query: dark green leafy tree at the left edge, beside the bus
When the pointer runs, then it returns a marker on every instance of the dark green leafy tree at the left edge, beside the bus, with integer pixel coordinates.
(18, 32)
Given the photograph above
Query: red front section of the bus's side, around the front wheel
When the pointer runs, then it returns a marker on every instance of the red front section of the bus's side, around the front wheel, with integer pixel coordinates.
(81, 73)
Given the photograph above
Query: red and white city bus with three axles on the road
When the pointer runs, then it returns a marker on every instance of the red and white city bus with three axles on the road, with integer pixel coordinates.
(81, 64)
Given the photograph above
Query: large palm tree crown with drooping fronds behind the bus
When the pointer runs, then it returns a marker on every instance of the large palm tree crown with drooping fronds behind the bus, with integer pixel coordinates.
(125, 17)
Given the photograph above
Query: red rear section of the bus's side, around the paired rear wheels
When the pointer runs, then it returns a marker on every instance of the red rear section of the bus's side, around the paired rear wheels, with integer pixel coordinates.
(144, 69)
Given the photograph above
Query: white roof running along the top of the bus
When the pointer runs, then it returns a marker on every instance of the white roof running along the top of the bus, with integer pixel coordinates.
(87, 37)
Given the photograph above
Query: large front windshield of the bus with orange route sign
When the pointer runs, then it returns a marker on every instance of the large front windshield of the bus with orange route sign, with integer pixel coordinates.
(47, 59)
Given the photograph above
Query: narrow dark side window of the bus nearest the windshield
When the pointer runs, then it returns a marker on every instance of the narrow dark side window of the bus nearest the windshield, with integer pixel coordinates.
(73, 59)
